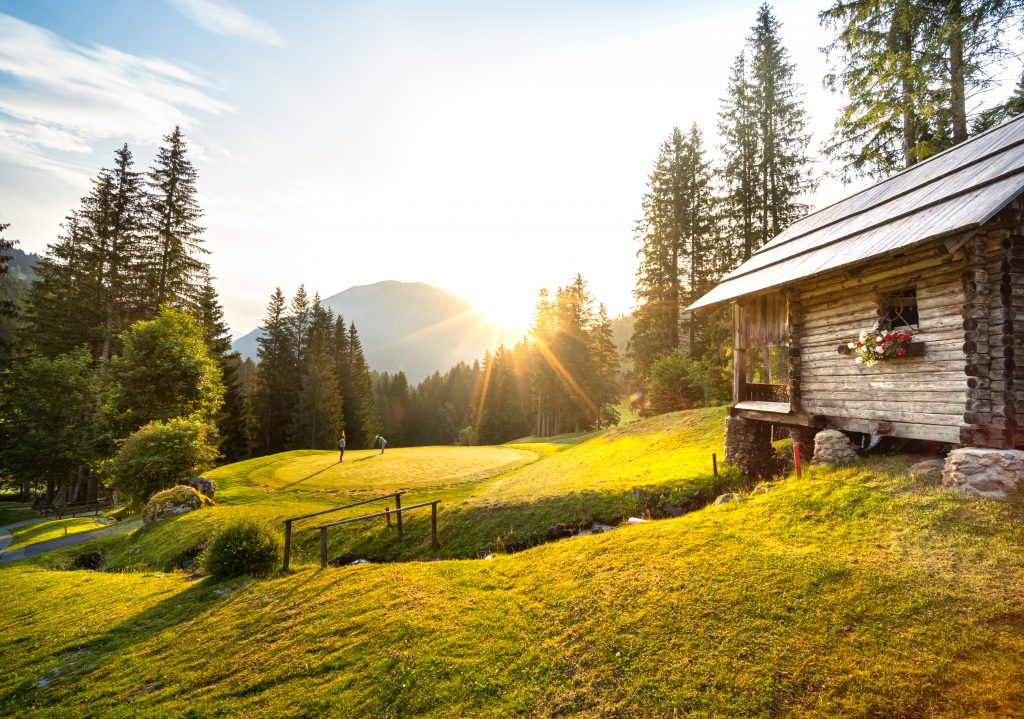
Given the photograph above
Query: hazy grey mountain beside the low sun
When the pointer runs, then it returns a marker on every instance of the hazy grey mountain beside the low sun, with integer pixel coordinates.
(409, 327)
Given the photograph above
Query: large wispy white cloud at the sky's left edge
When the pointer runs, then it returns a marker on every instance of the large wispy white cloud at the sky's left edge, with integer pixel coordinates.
(59, 99)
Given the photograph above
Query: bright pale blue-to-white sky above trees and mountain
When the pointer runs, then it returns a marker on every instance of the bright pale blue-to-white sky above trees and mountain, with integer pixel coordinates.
(486, 149)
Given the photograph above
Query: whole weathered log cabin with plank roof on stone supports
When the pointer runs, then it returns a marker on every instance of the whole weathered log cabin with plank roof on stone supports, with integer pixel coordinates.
(898, 312)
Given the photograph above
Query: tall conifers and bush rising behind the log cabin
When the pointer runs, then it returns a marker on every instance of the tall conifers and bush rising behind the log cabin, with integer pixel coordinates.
(909, 69)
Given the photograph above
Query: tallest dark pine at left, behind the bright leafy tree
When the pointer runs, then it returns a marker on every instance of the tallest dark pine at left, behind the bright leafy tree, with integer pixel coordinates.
(176, 274)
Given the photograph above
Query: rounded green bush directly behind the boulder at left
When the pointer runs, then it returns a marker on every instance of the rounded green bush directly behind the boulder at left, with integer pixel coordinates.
(162, 455)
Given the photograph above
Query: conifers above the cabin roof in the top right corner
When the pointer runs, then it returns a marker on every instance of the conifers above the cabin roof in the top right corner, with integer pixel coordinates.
(908, 70)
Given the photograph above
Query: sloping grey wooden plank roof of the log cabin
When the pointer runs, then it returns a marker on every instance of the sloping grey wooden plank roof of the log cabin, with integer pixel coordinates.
(951, 193)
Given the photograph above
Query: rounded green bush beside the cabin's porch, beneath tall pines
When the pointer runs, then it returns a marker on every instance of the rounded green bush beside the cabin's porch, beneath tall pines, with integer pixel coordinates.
(678, 383)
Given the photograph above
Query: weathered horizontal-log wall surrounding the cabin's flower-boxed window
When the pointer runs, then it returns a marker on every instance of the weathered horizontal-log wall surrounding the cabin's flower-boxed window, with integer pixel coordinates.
(921, 398)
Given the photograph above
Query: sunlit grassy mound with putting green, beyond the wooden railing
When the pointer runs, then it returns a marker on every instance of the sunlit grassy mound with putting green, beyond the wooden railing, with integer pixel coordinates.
(493, 498)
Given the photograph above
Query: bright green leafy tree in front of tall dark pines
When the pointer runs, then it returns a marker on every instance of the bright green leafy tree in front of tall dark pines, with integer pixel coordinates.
(166, 371)
